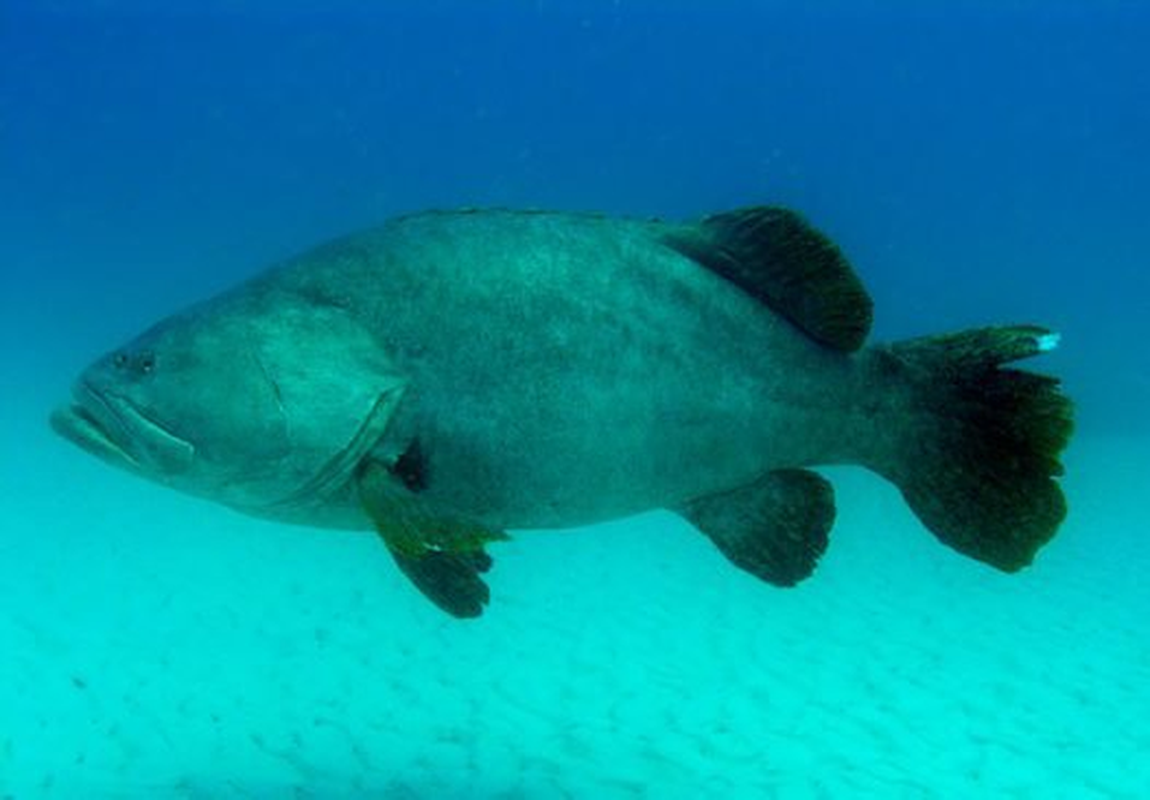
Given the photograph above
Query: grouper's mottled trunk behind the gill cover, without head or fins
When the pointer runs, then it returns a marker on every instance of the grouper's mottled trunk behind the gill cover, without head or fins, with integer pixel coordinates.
(566, 370)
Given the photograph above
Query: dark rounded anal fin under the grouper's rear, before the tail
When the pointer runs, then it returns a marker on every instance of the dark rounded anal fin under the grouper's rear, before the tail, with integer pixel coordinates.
(776, 529)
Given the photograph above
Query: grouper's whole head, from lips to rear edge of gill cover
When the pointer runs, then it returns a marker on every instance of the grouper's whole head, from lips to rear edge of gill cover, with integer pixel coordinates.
(249, 403)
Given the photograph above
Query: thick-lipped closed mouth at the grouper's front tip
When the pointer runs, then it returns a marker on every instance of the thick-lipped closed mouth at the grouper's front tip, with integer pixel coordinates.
(117, 430)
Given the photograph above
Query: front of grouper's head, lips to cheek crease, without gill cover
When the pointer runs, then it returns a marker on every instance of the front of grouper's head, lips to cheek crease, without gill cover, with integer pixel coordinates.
(183, 404)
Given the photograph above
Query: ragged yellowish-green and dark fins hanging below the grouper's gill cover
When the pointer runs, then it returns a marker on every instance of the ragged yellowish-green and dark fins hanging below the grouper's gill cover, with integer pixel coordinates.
(443, 556)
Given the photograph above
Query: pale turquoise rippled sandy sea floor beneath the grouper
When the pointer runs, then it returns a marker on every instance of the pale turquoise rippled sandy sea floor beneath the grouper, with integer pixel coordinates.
(159, 647)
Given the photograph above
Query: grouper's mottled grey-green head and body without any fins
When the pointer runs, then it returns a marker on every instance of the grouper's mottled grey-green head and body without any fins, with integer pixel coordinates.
(557, 370)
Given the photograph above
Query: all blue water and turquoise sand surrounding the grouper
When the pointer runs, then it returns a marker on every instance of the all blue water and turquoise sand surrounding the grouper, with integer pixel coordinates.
(979, 163)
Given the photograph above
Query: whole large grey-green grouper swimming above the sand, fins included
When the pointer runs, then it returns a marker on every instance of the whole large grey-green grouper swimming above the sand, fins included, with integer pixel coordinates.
(449, 376)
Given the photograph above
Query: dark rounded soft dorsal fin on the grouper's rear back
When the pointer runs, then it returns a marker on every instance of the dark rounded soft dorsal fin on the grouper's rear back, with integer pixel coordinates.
(777, 257)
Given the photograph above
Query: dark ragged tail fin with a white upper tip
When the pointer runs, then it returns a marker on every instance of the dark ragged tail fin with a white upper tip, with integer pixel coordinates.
(977, 453)
